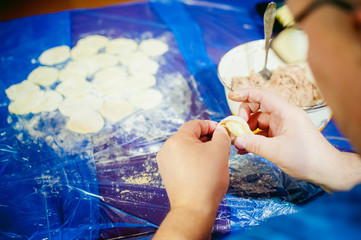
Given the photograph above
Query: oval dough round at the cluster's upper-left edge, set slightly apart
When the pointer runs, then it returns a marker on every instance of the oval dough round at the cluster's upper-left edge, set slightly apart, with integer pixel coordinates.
(55, 55)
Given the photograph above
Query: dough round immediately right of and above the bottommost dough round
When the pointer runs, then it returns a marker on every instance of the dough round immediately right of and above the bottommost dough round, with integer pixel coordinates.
(116, 109)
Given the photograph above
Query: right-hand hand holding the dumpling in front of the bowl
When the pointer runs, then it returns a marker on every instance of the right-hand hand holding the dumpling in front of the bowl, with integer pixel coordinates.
(287, 138)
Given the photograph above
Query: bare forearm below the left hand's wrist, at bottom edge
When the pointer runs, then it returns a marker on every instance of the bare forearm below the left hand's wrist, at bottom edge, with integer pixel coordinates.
(185, 223)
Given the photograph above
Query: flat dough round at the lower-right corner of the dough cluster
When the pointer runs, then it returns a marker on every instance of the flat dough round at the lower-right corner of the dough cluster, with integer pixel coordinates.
(146, 98)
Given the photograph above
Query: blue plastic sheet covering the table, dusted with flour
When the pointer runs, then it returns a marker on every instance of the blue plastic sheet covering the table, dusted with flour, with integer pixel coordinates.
(106, 185)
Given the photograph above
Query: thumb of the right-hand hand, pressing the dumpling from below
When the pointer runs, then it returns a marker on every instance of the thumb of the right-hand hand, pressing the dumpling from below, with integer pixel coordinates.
(256, 144)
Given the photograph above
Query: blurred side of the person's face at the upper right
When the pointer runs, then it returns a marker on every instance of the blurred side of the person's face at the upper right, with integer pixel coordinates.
(334, 56)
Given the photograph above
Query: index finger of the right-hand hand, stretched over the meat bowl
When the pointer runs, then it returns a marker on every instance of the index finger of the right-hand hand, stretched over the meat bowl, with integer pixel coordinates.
(269, 102)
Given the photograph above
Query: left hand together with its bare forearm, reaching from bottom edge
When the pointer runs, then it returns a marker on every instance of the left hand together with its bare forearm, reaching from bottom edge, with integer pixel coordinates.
(196, 177)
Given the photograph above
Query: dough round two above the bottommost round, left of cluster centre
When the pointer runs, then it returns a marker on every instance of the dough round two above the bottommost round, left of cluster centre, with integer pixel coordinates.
(75, 88)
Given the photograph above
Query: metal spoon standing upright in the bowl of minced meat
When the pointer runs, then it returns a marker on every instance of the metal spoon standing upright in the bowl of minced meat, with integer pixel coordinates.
(268, 21)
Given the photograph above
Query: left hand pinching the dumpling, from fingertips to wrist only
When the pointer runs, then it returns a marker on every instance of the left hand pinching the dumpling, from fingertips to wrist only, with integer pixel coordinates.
(194, 170)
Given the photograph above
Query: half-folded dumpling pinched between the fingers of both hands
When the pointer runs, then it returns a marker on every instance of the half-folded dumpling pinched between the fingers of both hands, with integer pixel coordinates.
(235, 126)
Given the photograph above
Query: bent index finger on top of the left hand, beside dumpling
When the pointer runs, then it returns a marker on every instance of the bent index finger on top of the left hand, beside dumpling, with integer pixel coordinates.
(197, 128)
